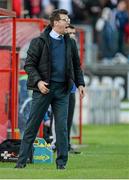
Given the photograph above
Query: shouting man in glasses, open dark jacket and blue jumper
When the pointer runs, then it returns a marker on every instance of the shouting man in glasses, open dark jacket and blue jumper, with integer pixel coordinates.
(50, 69)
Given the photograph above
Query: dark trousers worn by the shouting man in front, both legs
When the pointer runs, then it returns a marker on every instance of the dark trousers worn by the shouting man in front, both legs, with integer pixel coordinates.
(58, 98)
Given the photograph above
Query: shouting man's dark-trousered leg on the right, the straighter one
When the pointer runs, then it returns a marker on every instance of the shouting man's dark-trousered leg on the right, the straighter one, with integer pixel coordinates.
(60, 110)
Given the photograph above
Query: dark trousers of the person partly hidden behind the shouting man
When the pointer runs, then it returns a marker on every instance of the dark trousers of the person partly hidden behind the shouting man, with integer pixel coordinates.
(71, 108)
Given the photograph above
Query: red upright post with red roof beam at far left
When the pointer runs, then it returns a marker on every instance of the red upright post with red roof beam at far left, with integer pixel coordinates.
(12, 16)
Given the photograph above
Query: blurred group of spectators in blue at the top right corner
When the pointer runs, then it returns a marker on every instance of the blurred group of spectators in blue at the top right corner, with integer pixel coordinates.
(113, 30)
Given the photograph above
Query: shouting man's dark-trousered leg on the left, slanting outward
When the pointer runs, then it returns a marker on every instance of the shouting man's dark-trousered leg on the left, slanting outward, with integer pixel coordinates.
(39, 107)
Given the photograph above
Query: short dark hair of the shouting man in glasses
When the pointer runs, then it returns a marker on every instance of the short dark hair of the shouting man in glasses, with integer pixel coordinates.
(56, 15)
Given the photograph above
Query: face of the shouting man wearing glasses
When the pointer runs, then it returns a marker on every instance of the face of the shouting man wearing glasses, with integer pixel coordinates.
(61, 25)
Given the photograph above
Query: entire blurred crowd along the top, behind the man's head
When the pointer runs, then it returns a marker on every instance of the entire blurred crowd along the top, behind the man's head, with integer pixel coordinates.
(109, 20)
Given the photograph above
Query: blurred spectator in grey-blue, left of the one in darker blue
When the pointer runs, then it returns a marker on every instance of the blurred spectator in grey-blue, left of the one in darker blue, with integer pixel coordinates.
(107, 35)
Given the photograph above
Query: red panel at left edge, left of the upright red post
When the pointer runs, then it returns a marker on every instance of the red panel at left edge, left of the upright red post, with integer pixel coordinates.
(5, 89)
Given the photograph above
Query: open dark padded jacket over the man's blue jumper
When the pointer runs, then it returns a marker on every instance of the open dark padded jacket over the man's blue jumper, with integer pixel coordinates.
(38, 61)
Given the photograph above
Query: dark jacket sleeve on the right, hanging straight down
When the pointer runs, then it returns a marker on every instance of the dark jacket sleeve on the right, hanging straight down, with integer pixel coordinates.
(79, 80)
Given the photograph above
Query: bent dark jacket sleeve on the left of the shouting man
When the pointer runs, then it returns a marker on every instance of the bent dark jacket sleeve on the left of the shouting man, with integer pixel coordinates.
(32, 60)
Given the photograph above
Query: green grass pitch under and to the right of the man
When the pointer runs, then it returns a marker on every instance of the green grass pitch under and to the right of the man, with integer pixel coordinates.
(105, 154)
